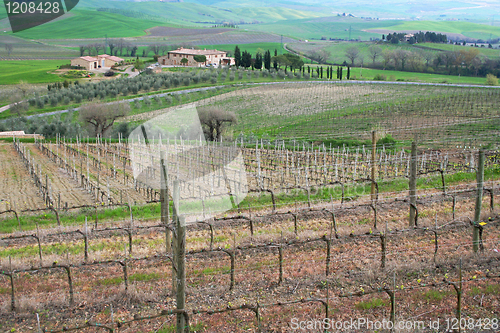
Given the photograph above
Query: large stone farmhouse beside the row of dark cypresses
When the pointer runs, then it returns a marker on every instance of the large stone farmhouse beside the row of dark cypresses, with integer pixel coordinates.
(173, 58)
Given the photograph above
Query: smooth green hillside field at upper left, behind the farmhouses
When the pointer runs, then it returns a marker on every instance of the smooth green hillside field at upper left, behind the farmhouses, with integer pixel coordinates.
(90, 24)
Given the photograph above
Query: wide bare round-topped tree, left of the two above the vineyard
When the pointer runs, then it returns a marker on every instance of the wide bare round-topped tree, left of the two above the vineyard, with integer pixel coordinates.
(101, 117)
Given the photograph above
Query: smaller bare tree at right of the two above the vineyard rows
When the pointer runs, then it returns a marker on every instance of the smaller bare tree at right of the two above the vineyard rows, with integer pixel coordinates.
(214, 120)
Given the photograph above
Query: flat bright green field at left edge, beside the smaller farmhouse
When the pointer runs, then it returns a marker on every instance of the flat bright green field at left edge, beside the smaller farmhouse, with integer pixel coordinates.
(30, 71)
